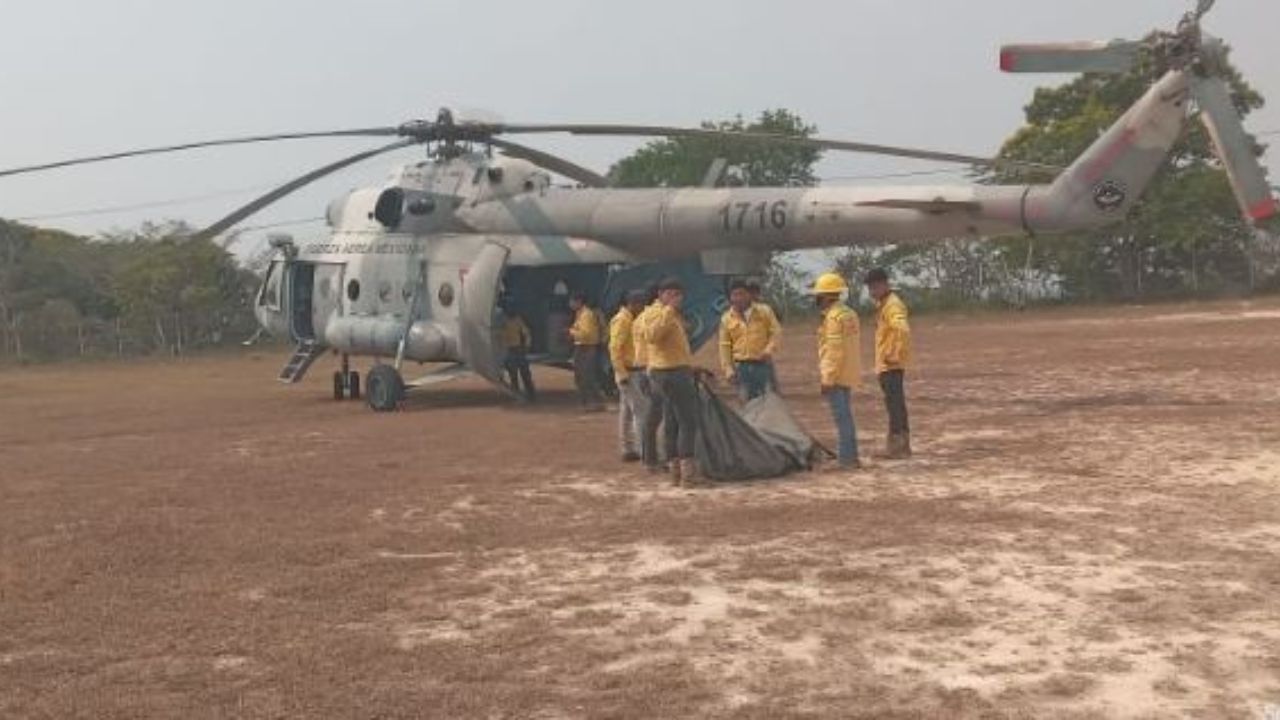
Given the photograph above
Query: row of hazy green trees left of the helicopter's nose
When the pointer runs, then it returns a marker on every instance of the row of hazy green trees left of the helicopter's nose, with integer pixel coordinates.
(147, 291)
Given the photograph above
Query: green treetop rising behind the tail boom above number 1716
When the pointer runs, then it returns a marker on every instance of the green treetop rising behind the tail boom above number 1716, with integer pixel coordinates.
(683, 162)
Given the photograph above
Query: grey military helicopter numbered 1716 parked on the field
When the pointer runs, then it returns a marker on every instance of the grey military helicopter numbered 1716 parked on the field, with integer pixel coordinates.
(414, 268)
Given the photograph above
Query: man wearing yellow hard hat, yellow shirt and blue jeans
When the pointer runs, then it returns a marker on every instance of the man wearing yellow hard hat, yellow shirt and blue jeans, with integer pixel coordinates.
(839, 364)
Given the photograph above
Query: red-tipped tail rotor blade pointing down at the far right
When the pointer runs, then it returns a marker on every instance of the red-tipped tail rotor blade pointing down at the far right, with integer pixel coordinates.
(1235, 149)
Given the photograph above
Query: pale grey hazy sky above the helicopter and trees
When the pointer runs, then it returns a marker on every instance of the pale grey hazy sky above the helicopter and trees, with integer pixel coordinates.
(92, 76)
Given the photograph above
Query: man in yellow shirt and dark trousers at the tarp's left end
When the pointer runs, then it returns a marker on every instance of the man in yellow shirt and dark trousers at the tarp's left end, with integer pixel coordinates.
(673, 376)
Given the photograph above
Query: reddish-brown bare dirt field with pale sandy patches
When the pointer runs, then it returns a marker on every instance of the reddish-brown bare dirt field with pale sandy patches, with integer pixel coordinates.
(1091, 530)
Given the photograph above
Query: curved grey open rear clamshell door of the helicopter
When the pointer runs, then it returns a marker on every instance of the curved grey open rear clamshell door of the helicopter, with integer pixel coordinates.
(477, 332)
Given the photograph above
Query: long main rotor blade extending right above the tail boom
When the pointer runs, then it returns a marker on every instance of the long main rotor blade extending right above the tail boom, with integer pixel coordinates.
(766, 138)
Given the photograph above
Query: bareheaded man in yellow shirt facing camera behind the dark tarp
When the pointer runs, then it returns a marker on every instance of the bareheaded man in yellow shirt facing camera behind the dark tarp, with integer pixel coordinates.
(748, 339)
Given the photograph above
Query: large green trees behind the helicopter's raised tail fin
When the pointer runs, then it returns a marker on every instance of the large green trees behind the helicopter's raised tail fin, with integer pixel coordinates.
(1185, 238)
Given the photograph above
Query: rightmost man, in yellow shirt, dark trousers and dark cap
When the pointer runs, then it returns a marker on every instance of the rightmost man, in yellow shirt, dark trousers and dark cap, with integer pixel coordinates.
(893, 357)
